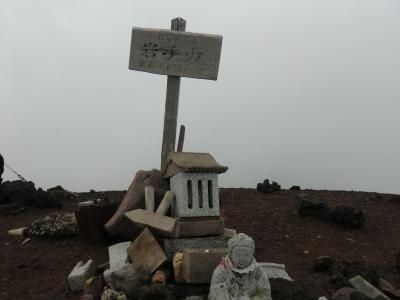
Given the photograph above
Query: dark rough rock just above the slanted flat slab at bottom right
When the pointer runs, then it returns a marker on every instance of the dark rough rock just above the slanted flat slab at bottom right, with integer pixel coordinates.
(341, 272)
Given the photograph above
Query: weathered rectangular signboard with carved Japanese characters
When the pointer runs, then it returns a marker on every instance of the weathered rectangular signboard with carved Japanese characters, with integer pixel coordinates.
(175, 53)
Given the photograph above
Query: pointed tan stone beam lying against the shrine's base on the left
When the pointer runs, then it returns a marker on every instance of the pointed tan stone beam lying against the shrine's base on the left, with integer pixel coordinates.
(164, 225)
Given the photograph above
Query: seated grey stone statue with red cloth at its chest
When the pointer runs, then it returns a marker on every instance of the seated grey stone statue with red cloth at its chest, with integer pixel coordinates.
(238, 276)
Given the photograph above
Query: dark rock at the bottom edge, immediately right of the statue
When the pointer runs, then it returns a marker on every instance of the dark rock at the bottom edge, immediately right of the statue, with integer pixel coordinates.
(282, 289)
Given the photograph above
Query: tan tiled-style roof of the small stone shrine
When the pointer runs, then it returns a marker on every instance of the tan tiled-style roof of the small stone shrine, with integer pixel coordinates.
(192, 162)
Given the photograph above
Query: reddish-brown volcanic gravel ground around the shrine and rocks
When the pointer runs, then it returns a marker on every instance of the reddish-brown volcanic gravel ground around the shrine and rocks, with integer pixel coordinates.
(38, 269)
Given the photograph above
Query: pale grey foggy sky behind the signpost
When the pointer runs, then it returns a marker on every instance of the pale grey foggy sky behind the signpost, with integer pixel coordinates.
(307, 94)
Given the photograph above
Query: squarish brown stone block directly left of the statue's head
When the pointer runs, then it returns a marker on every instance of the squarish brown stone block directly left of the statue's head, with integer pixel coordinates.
(199, 264)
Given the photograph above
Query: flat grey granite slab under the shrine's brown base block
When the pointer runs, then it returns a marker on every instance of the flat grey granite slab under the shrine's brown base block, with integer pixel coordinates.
(171, 246)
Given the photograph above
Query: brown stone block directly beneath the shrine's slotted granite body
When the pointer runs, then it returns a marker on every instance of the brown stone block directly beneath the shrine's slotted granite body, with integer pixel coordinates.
(203, 226)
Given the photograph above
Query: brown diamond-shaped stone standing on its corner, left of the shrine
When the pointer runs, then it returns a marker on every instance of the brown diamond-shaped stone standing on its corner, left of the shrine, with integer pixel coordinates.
(146, 254)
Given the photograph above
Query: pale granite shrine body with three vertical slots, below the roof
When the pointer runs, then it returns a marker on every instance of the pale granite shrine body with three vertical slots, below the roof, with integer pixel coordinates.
(197, 203)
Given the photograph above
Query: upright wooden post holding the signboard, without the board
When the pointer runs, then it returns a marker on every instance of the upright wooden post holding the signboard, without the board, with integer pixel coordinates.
(171, 104)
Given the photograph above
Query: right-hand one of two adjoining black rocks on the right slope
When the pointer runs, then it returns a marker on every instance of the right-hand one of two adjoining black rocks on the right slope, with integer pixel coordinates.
(348, 216)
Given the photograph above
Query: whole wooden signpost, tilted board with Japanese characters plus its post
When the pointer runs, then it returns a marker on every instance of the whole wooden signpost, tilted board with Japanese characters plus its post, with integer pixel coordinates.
(175, 53)
